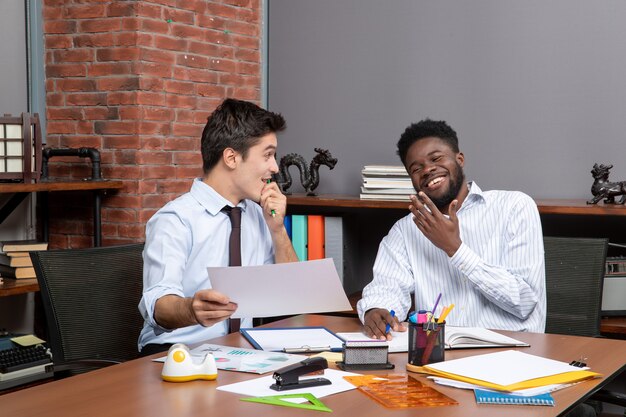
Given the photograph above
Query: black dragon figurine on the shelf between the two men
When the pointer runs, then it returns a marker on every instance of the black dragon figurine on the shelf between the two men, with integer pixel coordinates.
(309, 177)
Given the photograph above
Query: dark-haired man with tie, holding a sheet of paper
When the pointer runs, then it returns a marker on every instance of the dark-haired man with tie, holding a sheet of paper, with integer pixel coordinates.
(192, 232)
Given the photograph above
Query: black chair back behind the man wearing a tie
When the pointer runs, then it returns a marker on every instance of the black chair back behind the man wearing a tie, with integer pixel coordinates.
(90, 299)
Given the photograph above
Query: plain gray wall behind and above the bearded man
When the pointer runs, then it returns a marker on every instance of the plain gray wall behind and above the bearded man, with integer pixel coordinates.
(536, 90)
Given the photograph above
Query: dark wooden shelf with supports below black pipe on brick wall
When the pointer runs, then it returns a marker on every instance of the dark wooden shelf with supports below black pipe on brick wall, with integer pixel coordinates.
(19, 192)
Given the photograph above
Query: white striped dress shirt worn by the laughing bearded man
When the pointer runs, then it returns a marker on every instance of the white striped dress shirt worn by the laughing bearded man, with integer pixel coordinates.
(496, 279)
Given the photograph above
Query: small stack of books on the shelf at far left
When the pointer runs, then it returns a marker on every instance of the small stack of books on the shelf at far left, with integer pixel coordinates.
(15, 261)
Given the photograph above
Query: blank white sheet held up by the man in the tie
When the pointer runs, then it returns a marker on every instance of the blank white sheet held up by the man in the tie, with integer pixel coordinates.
(281, 289)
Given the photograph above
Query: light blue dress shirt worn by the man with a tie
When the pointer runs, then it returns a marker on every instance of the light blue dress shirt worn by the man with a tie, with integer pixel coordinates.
(185, 237)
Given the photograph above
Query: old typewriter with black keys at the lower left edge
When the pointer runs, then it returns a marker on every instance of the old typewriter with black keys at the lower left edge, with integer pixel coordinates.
(22, 364)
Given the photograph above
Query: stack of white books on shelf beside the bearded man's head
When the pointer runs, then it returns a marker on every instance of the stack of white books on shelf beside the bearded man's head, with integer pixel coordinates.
(386, 182)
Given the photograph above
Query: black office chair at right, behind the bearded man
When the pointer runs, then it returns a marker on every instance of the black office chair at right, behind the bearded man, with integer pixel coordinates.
(574, 278)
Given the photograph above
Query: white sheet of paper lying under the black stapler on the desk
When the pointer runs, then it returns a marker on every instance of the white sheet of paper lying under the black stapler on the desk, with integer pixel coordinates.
(260, 387)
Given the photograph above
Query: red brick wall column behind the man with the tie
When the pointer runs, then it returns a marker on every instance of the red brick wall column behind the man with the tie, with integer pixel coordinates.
(137, 80)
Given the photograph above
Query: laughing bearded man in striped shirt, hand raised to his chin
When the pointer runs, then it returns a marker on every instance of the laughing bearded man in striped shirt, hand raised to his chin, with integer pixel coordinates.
(482, 250)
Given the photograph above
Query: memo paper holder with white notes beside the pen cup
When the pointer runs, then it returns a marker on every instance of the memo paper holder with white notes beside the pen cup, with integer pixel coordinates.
(368, 355)
